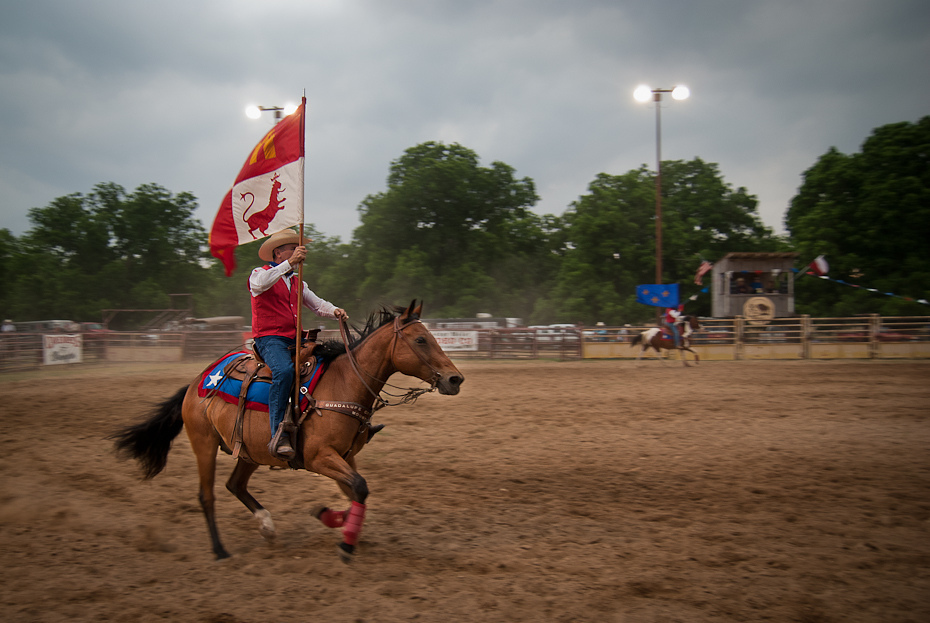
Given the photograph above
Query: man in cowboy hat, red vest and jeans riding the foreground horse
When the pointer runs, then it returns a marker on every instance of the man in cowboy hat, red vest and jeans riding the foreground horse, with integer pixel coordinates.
(274, 323)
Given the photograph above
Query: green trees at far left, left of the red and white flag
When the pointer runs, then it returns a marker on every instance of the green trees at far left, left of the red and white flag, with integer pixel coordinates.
(108, 249)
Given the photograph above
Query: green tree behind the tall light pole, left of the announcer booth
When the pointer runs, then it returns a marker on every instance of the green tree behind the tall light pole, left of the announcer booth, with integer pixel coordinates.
(611, 239)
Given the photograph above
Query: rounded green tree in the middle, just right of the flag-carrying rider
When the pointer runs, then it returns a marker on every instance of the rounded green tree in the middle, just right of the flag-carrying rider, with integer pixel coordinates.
(457, 234)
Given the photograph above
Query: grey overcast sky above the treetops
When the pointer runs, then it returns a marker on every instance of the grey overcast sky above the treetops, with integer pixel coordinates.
(136, 92)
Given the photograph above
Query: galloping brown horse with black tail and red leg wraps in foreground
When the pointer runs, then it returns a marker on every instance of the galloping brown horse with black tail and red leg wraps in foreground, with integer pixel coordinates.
(330, 435)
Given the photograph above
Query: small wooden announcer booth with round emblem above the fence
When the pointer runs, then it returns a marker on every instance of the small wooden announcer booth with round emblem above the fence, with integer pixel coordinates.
(754, 285)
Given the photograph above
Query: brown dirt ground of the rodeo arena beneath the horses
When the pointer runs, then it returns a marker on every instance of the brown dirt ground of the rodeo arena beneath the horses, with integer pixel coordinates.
(546, 491)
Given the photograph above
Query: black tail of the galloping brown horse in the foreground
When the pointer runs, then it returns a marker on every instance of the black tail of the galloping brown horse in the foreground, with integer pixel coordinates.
(150, 441)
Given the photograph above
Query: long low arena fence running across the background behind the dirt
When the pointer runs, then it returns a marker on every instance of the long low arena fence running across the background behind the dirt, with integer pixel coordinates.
(861, 337)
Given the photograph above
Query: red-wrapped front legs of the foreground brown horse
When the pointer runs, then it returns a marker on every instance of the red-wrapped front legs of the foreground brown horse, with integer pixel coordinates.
(355, 488)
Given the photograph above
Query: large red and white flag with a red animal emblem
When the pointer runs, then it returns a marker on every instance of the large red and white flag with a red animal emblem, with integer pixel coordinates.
(267, 195)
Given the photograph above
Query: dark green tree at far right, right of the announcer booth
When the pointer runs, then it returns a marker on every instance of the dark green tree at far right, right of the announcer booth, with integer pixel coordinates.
(869, 214)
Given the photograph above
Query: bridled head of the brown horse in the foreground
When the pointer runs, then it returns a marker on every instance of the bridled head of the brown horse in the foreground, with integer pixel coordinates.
(417, 353)
